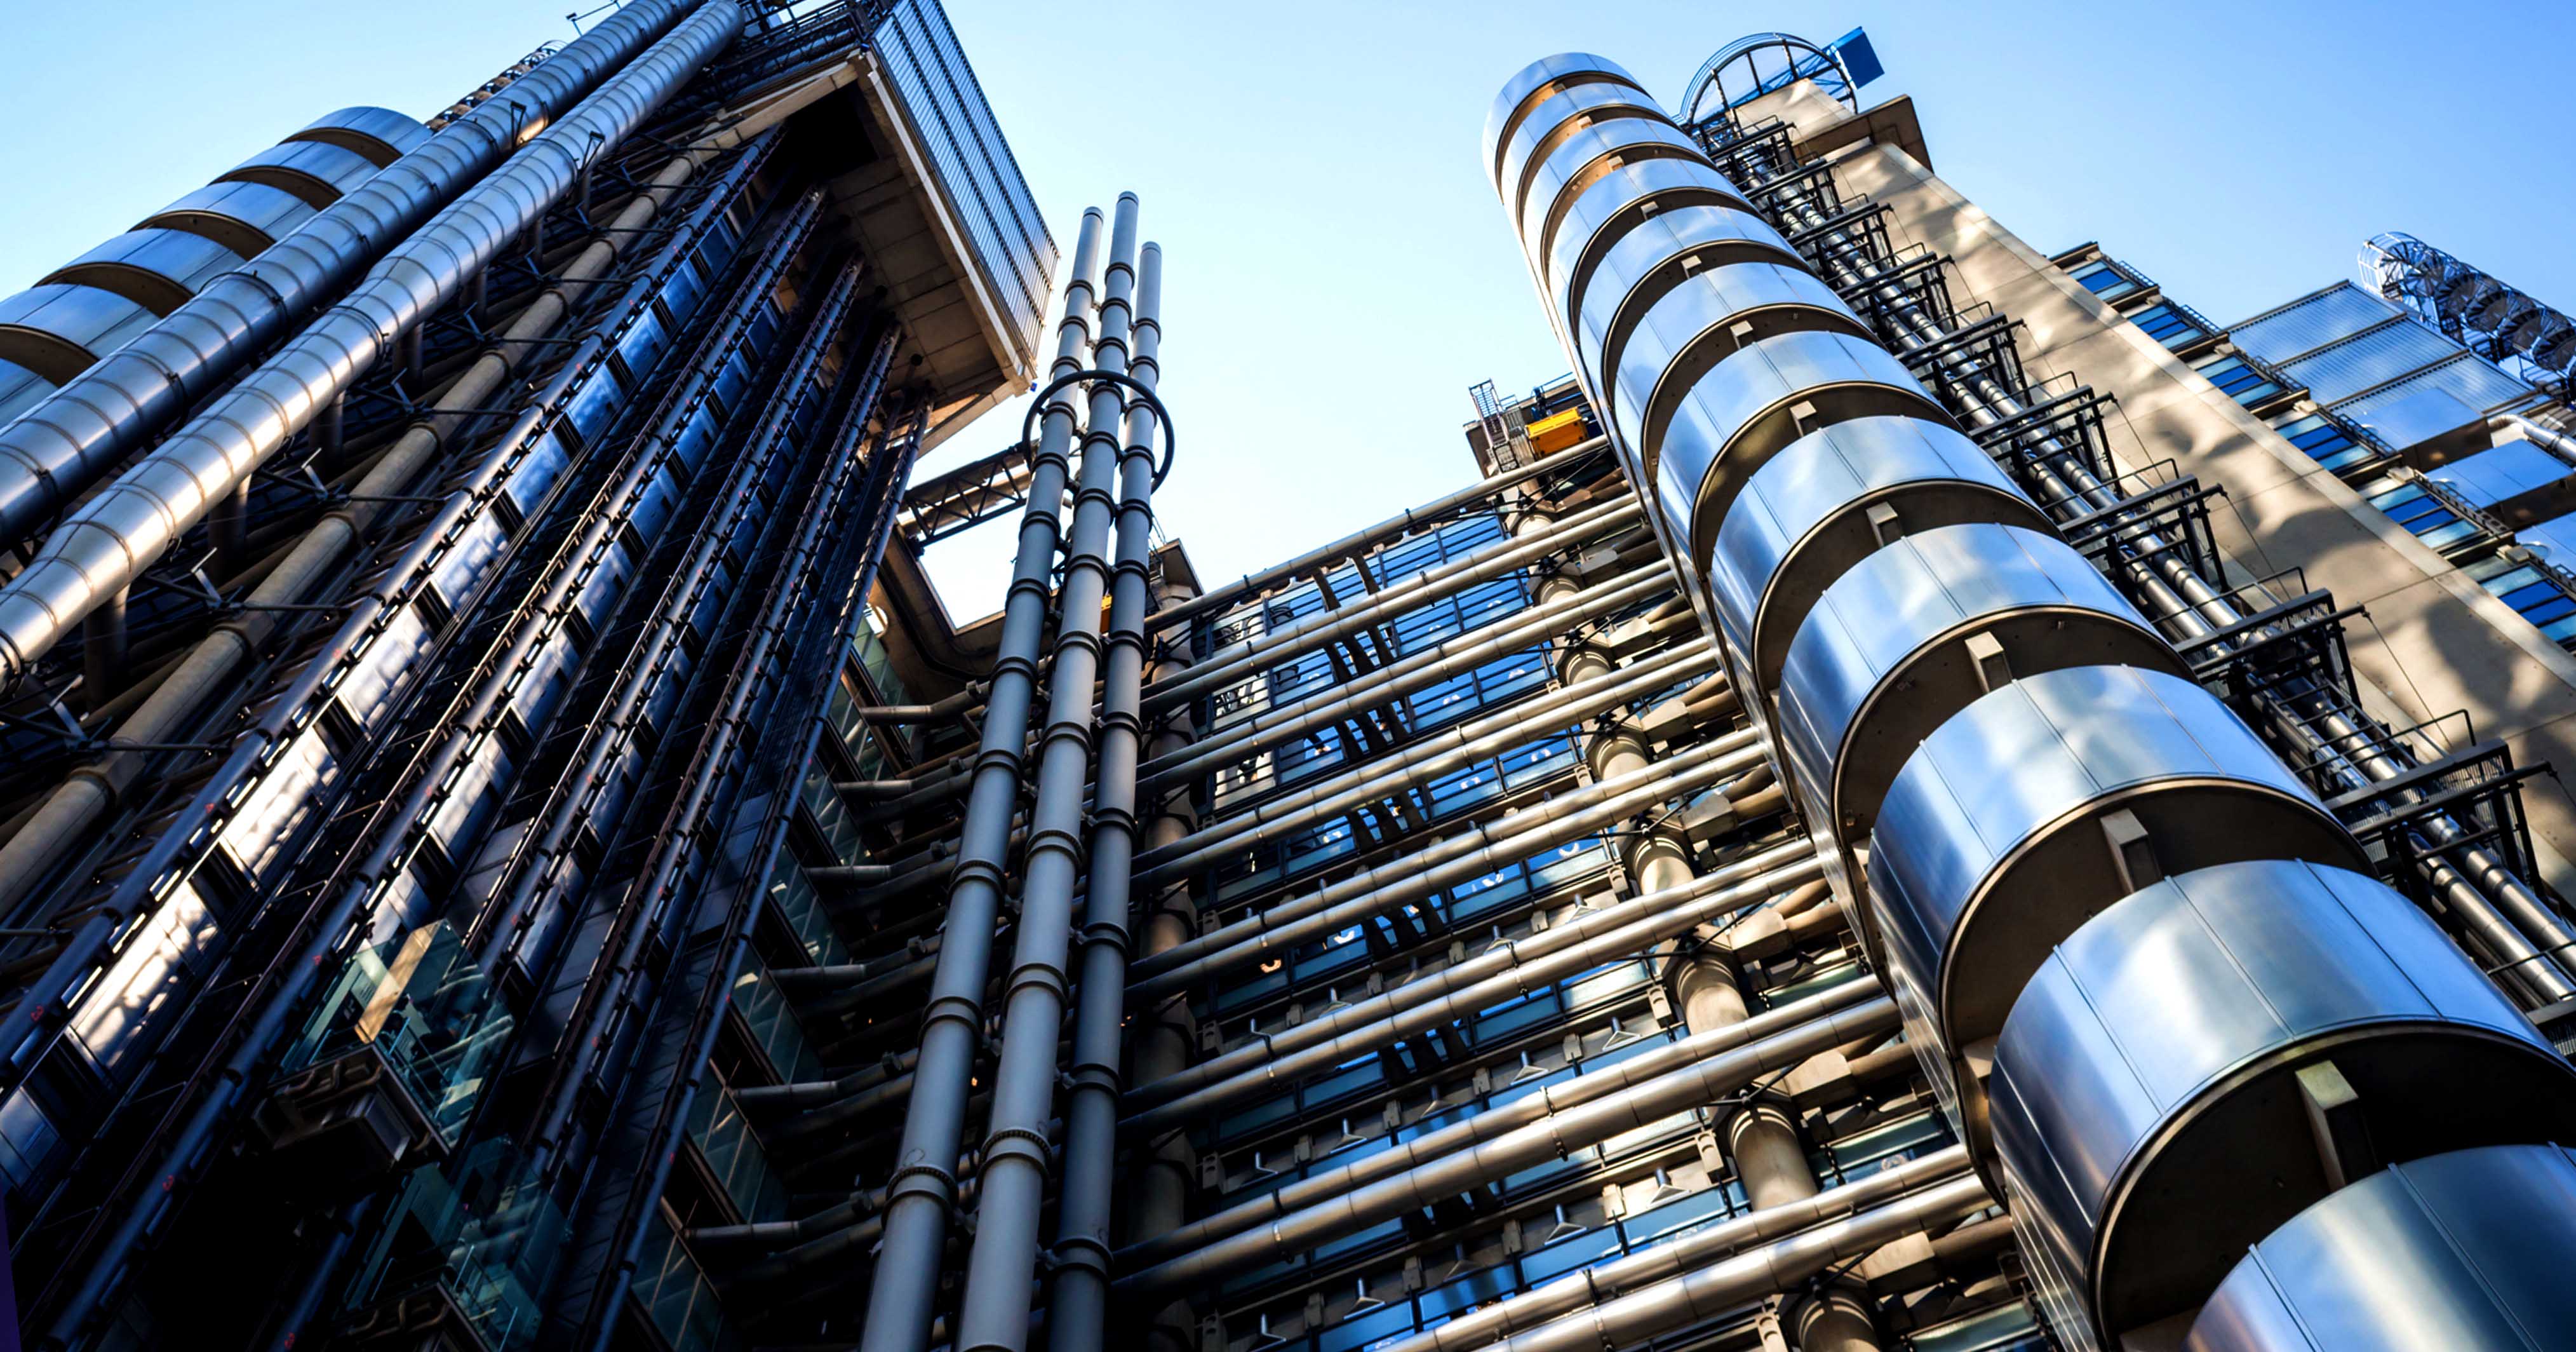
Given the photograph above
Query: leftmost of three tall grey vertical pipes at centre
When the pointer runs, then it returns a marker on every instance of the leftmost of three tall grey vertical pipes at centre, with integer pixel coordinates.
(923, 1191)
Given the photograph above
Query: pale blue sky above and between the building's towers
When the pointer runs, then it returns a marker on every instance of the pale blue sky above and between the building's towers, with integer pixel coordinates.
(1338, 272)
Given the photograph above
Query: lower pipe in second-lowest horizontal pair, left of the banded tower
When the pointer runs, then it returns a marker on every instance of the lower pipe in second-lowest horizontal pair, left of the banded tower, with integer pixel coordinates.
(1511, 1152)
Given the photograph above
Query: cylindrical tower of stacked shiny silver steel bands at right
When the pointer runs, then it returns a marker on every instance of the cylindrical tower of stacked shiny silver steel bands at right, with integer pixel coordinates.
(2139, 959)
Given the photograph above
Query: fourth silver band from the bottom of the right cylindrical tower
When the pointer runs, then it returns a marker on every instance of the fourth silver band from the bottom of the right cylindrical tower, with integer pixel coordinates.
(1923, 630)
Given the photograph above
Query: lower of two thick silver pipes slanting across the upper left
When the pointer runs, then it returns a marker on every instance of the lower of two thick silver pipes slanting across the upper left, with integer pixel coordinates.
(102, 547)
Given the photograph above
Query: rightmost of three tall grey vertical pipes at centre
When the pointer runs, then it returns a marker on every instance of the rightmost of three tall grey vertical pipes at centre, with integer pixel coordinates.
(1078, 1307)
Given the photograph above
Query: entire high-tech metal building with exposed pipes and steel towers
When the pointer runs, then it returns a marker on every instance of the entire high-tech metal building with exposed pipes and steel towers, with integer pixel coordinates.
(1926, 797)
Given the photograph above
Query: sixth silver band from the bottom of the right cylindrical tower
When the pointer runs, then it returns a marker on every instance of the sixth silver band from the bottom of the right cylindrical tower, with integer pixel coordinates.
(1756, 403)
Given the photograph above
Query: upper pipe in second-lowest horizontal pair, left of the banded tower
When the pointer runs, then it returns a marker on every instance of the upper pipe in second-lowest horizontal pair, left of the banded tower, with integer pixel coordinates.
(1493, 1122)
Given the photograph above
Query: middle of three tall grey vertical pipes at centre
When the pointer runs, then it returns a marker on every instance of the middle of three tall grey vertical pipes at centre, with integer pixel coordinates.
(1024, 1091)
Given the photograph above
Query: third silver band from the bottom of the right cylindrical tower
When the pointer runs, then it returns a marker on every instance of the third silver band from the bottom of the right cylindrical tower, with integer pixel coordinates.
(2047, 802)
